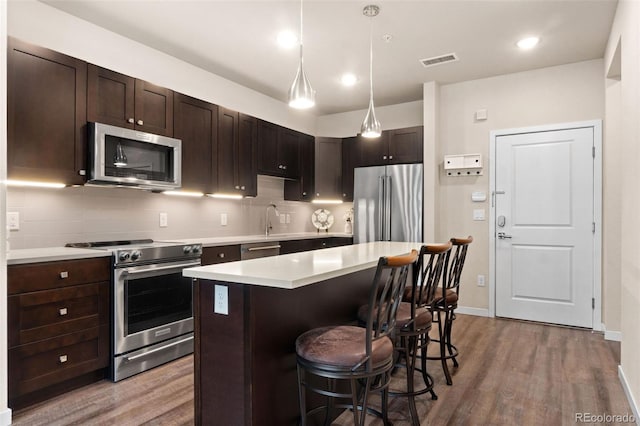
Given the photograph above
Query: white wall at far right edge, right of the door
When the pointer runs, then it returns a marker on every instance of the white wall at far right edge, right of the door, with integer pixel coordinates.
(623, 108)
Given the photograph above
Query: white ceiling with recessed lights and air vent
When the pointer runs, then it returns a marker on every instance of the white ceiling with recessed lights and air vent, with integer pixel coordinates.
(237, 40)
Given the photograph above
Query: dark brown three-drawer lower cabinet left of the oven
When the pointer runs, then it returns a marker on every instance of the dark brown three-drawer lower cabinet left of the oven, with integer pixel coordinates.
(58, 327)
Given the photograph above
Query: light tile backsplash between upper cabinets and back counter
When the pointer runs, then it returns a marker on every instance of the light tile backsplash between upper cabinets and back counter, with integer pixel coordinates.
(51, 218)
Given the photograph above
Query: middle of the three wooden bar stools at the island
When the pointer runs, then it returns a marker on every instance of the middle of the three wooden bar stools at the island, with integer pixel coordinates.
(413, 322)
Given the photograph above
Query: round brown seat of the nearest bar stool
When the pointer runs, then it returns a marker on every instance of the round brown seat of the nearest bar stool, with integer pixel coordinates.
(342, 348)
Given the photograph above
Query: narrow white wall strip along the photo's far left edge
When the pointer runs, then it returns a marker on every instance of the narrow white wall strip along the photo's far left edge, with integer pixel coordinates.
(5, 413)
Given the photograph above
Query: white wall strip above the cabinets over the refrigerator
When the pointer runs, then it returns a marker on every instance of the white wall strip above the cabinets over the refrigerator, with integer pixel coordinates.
(391, 117)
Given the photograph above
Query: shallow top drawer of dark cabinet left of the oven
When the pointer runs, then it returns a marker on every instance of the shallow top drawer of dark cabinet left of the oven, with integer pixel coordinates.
(45, 276)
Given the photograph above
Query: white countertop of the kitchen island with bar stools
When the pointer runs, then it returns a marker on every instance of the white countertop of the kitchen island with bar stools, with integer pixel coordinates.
(295, 270)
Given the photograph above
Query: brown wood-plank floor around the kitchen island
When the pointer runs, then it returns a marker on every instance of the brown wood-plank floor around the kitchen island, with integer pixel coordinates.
(511, 372)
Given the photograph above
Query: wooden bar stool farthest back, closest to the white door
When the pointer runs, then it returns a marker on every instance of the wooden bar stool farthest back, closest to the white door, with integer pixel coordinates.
(446, 301)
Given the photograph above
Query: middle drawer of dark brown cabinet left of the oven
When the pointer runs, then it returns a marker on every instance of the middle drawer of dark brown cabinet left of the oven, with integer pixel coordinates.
(50, 313)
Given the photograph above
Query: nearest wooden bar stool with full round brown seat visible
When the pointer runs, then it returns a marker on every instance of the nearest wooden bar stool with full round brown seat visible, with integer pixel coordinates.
(360, 356)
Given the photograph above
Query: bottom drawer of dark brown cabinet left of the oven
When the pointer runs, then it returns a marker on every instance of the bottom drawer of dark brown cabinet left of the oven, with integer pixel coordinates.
(47, 362)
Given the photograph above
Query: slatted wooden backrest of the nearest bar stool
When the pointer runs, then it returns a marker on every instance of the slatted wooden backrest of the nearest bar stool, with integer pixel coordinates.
(385, 296)
